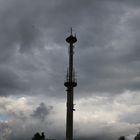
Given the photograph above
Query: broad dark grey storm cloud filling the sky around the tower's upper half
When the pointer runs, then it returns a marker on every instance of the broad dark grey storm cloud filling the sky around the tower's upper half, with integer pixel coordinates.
(102, 50)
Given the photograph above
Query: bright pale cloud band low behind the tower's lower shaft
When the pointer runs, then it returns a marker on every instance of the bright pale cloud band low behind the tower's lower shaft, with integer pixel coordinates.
(95, 117)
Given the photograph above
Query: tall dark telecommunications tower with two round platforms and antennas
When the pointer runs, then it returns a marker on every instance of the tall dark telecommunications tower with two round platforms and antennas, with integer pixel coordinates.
(70, 83)
